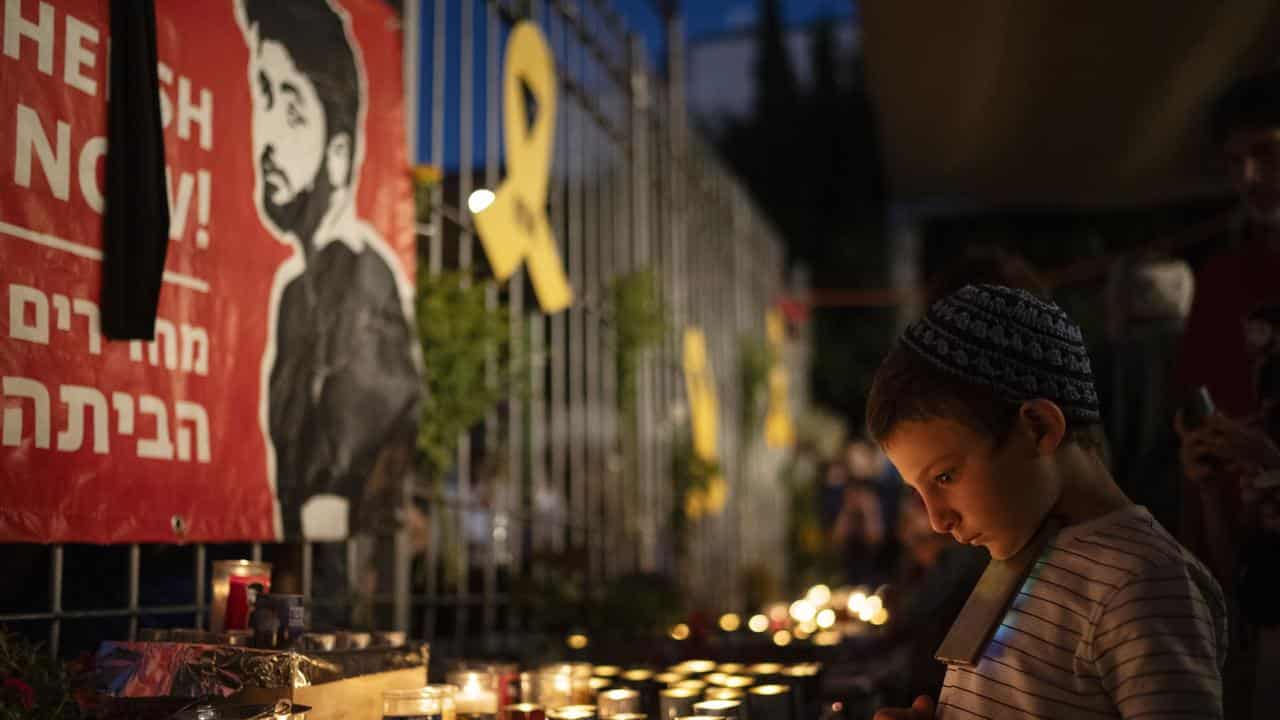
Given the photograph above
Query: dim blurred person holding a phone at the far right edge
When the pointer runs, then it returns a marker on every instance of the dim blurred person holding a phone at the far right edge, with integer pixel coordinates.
(1231, 463)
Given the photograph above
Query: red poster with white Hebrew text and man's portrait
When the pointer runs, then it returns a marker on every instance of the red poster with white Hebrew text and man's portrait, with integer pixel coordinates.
(280, 391)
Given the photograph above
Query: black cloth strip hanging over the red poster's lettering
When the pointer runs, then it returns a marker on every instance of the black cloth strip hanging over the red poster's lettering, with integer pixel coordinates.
(136, 218)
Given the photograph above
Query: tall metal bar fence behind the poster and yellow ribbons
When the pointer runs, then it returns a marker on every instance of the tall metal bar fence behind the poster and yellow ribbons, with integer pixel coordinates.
(541, 485)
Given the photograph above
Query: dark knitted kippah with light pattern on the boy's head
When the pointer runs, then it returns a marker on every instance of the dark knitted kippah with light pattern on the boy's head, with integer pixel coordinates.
(1012, 341)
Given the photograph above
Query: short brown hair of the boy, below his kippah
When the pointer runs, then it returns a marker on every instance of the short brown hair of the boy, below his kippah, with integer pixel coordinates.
(911, 389)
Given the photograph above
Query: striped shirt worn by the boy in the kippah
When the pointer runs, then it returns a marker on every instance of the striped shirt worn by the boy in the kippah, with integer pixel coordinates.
(1114, 621)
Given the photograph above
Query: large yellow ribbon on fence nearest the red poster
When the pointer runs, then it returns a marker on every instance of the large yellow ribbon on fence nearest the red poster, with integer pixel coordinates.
(514, 229)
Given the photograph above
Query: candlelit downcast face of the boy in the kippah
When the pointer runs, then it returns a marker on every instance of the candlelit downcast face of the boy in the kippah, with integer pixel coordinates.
(973, 491)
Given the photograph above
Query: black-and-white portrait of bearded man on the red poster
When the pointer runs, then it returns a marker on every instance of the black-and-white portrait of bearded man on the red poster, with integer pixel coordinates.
(341, 370)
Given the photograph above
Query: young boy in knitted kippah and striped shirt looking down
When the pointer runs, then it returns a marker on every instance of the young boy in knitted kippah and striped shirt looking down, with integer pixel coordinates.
(989, 411)
